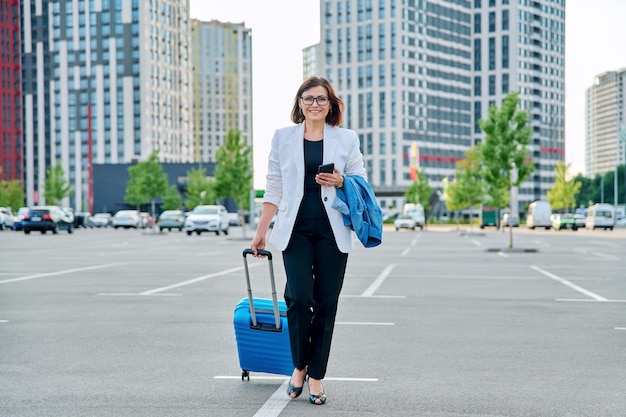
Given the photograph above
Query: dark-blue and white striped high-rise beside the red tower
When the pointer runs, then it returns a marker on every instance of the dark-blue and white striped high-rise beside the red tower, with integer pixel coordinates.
(105, 81)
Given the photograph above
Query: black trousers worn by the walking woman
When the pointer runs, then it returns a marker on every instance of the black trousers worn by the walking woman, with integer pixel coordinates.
(315, 270)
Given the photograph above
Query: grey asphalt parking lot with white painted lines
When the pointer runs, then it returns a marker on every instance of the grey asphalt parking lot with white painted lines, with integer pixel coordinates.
(110, 322)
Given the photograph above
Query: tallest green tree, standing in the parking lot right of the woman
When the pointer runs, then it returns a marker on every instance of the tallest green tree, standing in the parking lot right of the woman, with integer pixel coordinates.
(504, 151)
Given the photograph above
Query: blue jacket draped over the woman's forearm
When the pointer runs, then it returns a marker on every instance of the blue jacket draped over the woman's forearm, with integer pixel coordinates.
(359, 207)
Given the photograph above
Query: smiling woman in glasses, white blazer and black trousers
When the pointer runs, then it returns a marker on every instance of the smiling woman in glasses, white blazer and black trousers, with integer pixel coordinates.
(308, 230)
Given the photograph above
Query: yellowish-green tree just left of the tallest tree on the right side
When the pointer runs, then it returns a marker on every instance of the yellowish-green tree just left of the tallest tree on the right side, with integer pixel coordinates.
(468, 188)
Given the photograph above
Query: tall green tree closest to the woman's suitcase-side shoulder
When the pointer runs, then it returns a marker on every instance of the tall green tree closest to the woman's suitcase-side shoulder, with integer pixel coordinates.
(233, 172)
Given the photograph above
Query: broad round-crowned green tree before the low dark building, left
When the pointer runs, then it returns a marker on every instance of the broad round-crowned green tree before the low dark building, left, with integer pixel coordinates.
(147, 181)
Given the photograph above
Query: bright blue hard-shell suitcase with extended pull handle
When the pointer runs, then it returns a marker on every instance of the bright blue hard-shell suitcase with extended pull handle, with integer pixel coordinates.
(261, 330)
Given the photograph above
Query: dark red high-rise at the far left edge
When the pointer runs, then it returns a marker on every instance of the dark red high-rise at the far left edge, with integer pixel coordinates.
(10, 92)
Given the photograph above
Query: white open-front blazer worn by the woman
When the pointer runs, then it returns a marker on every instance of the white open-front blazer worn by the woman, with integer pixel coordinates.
(285, 179)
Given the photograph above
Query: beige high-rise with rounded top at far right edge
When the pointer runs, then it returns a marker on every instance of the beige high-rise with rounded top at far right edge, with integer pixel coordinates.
(605, 120)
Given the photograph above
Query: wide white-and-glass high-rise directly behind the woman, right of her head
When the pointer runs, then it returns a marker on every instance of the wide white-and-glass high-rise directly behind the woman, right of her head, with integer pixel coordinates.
(417, 75)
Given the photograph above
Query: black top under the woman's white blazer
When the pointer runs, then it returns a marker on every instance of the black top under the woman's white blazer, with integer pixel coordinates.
(311, 206)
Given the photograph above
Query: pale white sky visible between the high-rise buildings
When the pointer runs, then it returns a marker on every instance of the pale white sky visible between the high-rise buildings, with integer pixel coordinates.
(595, 43)
